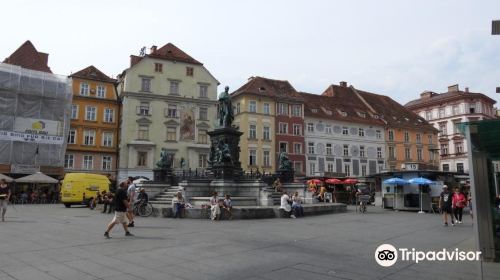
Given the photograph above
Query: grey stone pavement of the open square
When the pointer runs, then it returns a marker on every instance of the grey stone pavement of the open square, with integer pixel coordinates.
(52, 242)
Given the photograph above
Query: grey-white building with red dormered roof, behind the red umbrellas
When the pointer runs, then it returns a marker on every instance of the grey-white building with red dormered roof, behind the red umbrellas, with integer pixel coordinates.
(342, 137)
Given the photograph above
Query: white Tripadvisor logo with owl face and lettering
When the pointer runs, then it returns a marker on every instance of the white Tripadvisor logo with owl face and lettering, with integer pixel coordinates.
(387, 255)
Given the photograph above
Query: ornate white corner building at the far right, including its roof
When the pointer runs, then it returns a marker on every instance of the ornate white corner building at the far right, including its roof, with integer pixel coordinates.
(445, 111)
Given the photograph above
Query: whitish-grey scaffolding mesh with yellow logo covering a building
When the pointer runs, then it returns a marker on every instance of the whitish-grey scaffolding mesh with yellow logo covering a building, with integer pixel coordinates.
(34, 116)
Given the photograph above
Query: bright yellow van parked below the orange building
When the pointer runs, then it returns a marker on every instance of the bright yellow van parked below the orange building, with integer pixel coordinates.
(80, 188)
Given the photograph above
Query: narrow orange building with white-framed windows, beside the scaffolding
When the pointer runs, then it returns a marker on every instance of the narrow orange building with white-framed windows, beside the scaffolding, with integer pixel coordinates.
(93, 134)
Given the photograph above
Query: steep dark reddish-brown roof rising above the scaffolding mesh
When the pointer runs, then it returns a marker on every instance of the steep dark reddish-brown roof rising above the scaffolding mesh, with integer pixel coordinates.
(28, 57)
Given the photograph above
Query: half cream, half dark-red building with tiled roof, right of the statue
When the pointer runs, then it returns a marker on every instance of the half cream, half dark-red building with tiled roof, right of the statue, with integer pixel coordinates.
(270, 113)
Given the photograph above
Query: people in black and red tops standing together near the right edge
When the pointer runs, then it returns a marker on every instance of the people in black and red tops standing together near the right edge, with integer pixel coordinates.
(453, 204)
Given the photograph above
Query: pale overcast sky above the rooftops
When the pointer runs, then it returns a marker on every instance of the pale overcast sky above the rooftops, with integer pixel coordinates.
(393, 47)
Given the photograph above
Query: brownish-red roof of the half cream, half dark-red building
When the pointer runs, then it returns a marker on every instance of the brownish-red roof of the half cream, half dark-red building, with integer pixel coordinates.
(277, 89)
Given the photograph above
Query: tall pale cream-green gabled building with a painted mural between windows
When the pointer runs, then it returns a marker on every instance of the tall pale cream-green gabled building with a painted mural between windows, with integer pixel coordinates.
(169, 101)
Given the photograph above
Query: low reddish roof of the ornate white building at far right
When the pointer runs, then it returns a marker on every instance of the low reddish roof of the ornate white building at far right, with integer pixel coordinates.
(438, 98)
